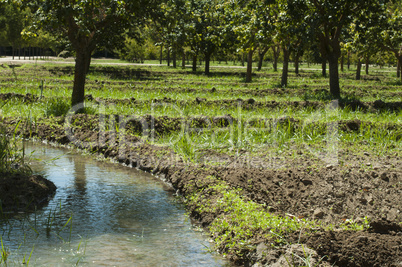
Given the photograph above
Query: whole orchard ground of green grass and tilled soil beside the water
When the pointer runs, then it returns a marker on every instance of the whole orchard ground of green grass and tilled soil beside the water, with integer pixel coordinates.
(212, 123)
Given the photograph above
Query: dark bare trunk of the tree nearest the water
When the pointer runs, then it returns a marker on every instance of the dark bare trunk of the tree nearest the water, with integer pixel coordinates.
(81, 63)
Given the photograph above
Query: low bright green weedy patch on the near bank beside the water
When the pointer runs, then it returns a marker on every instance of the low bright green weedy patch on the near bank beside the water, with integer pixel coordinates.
(240, 221)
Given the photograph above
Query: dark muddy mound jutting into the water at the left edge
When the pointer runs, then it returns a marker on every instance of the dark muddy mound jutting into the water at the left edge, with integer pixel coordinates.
(24, 193)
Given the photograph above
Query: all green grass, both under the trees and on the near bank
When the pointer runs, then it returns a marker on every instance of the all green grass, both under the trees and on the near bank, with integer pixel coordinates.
(262, 130)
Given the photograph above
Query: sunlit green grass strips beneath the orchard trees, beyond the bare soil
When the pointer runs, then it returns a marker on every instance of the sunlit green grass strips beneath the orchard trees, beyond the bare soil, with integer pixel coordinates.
(180, 88)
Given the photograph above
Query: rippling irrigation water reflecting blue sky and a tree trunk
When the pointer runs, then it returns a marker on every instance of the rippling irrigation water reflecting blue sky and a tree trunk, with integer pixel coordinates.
(103, 214)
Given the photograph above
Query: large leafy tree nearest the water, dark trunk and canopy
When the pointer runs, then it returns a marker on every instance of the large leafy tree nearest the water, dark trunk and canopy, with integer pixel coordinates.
(88, 25)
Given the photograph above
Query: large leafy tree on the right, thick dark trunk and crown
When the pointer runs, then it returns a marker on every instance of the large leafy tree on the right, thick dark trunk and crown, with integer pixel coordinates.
(328, 18)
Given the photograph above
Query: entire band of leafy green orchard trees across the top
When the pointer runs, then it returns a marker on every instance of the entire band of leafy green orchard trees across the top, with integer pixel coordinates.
(184, 32)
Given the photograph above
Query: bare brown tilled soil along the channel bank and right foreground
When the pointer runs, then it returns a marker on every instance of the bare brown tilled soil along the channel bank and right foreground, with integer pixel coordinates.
(300, 187)
